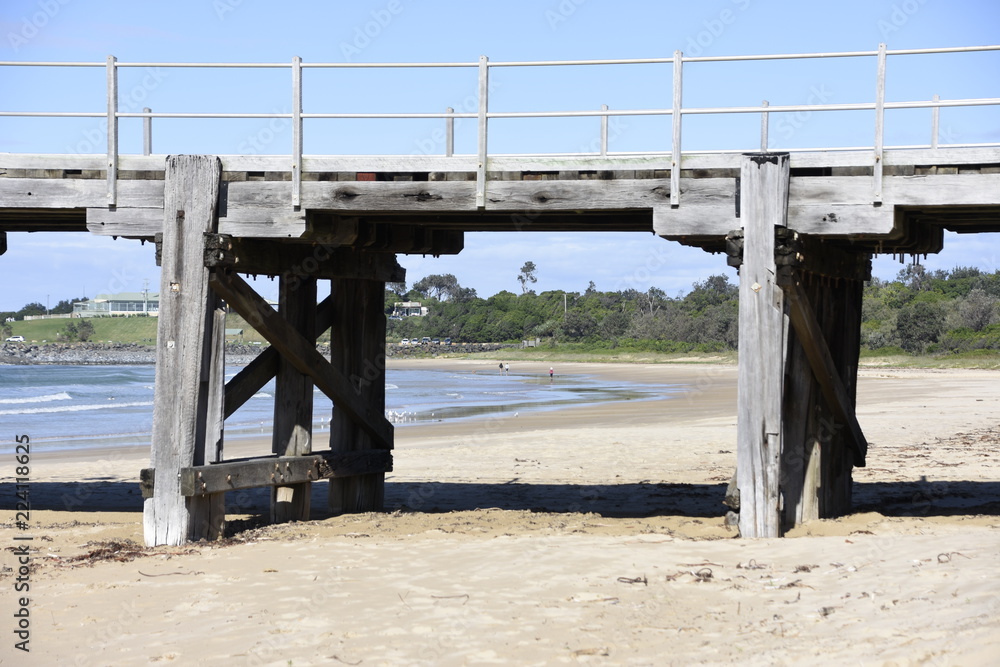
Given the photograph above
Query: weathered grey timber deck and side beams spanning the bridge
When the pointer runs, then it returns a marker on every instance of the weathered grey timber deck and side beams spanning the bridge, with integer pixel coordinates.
(423, 204)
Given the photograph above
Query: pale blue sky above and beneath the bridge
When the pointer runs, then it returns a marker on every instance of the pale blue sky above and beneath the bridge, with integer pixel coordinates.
(50, 267)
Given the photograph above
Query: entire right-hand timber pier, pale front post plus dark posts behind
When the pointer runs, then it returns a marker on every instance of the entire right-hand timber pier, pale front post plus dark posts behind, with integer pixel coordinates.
(800, 319)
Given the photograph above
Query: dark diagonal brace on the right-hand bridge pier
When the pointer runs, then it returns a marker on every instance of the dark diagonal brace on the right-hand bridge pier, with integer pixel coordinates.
(810, 335)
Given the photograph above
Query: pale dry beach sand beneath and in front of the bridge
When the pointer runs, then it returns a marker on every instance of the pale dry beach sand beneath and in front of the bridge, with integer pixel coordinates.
(588, 535)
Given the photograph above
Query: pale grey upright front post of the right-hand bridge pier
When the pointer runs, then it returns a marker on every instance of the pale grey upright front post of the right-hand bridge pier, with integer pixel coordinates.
(763, 206)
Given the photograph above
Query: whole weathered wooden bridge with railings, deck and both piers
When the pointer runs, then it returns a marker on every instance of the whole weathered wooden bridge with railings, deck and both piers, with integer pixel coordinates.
(802, 226)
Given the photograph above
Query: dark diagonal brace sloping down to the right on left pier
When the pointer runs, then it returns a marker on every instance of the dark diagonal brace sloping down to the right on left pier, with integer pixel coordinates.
(294, 347)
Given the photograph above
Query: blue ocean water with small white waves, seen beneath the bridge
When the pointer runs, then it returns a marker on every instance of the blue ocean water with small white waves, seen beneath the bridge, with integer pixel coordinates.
(78, 407)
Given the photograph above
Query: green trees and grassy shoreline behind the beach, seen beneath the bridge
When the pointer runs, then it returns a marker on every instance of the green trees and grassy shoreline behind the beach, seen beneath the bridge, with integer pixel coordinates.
(919, 312)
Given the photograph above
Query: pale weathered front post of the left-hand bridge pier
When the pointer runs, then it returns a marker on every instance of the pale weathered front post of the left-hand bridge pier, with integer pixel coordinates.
(184, 364)
